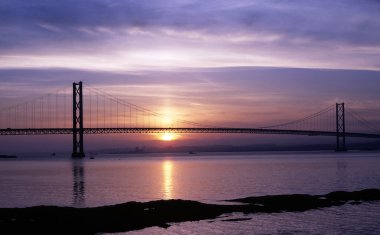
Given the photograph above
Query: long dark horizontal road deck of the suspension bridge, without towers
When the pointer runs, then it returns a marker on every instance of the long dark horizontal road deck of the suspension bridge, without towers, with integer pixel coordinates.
(60, 131)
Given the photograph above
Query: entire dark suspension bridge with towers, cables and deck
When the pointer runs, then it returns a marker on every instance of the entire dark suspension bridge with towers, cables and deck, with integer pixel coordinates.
(64, 112)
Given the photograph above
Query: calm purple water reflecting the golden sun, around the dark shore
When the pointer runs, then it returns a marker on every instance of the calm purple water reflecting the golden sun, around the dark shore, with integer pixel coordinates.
(211, 178)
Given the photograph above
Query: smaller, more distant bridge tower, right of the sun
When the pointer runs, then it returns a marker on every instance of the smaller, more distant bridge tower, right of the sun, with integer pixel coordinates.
(340, 128)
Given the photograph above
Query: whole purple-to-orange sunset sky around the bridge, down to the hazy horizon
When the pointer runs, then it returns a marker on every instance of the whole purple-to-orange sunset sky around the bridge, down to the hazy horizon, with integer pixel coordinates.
(232, 63)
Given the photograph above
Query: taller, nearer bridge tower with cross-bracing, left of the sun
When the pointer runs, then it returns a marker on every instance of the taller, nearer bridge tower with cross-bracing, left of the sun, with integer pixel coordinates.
(77, 121)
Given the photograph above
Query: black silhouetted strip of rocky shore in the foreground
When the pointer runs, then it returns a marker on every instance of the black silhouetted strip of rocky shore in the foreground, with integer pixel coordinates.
(139, 215)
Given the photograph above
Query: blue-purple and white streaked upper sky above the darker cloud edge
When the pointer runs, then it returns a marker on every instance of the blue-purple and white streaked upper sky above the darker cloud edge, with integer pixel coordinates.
(130, 35)
